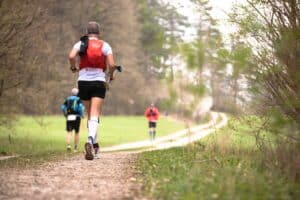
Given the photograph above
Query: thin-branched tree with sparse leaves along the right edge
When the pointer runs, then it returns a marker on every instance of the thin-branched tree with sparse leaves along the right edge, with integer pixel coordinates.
(272, 27)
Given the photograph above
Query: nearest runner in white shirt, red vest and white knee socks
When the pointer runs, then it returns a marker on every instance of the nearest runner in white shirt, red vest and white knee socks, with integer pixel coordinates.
(95, 56)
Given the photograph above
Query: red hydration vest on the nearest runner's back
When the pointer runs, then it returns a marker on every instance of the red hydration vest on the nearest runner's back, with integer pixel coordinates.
(94, 57)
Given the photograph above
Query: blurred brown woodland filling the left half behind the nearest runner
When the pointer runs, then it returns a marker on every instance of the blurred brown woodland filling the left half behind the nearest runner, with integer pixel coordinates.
(36, 39)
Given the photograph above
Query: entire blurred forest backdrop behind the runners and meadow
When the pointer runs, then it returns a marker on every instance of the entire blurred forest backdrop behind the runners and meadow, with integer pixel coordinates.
(261, 59)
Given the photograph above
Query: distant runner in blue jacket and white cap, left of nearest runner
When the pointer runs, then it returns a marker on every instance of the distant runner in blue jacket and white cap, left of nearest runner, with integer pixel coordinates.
(73, 110)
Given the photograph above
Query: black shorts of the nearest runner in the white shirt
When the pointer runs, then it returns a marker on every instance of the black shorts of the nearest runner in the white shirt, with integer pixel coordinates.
(89, 89)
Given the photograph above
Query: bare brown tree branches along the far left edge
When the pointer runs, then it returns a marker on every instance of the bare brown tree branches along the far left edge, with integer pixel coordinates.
(16, 25)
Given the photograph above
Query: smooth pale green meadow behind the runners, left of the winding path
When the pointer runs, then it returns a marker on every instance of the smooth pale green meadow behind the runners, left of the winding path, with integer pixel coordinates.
(39, 138)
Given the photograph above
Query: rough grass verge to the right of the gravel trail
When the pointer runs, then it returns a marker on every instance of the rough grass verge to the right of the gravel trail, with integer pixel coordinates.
(225, 165)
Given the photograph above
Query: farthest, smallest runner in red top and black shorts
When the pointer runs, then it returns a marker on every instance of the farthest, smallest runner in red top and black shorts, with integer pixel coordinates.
(152, 115)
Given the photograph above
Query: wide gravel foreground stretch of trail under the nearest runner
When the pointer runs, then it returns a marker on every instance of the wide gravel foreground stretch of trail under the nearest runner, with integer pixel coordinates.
(110, 177)
